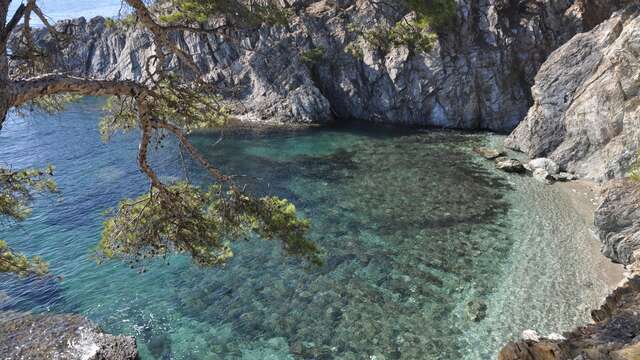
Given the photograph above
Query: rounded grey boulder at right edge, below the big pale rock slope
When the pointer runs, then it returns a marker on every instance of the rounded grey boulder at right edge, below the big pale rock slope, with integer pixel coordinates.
(617, 220)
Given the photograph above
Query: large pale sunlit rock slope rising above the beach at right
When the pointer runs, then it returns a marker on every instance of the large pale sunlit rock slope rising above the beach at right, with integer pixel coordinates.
(586, 111)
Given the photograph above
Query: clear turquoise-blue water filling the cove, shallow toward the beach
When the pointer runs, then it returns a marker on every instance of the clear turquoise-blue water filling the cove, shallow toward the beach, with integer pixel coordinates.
(414, 226)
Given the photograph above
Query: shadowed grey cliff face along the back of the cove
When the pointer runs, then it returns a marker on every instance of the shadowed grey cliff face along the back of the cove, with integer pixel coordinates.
(478, 76)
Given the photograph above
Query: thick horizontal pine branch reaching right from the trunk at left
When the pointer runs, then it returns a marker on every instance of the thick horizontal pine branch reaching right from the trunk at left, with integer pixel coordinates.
(51, 84)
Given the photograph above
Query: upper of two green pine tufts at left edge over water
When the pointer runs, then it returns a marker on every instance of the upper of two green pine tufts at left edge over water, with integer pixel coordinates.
(17, 189)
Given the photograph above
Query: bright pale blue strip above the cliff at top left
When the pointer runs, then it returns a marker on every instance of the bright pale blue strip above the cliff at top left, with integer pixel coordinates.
(65, 9)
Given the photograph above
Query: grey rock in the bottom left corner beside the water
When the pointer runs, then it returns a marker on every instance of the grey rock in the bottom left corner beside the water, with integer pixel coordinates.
(26, 336)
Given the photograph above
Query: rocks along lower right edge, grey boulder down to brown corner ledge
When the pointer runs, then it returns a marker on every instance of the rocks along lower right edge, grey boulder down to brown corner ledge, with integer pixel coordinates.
(615, 333)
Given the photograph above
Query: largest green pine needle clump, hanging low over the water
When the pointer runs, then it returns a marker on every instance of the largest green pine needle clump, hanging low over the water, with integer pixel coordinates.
(202, 224)
